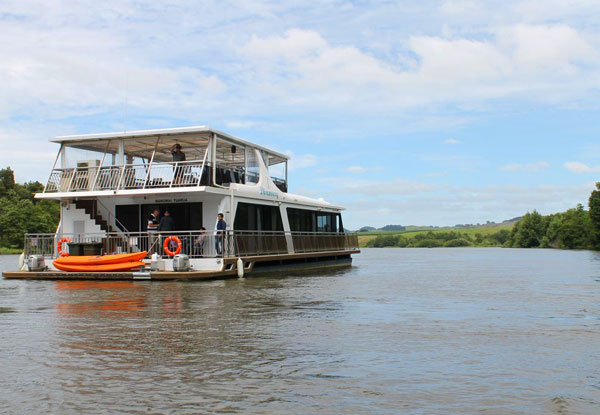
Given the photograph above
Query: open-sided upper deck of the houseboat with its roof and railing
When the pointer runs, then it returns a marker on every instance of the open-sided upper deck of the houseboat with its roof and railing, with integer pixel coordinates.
(98, 164)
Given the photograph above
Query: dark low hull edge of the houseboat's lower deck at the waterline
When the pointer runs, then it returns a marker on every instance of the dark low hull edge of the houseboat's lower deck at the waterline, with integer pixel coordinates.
(252, 266)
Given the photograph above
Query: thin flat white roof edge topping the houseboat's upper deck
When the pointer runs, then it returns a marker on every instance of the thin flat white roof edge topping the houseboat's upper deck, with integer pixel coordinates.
(68, 139)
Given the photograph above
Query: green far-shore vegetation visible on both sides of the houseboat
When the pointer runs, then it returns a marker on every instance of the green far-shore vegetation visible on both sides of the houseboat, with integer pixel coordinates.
(575, 228)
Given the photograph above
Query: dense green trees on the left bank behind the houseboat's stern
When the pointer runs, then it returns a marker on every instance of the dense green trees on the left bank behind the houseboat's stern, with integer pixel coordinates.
(20, 213)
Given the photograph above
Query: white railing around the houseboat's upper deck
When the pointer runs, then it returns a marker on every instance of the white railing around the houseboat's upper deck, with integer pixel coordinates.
(147, 176)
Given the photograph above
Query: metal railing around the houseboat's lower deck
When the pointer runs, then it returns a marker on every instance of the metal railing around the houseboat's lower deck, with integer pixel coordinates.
(197, 244)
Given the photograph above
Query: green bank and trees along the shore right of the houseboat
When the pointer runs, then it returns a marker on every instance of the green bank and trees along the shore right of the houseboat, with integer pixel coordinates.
(575, 228)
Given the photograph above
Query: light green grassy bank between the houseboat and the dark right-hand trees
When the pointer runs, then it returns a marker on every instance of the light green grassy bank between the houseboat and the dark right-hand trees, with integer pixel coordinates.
(448, 237)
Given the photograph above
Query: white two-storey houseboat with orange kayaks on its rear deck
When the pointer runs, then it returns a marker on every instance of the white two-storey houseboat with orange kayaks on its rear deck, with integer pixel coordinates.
(153, 198)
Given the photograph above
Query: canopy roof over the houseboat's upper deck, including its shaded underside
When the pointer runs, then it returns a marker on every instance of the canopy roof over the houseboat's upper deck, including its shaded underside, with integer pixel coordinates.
(142, 143)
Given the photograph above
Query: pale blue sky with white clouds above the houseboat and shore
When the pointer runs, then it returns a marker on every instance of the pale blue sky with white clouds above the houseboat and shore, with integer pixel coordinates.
(413, 113)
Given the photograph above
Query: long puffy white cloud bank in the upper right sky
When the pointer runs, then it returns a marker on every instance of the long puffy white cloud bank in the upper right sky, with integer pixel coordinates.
(303, 68)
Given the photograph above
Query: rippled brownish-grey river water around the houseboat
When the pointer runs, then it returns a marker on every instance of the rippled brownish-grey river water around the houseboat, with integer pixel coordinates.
(413, 331)
